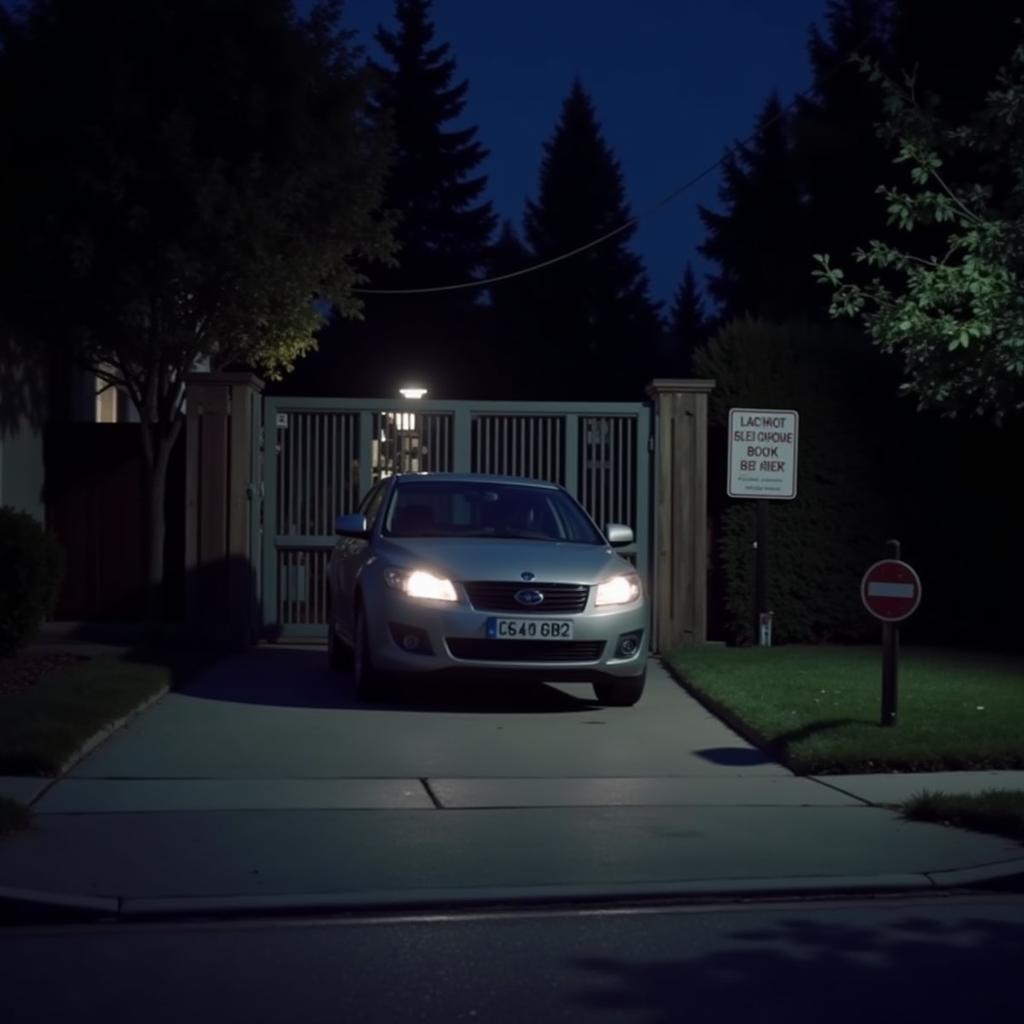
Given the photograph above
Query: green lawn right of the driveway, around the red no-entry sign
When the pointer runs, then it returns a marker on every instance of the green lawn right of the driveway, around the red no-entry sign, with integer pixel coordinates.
(818, 709)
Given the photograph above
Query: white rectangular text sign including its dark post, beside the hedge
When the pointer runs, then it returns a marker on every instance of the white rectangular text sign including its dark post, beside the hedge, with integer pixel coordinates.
(762, 466)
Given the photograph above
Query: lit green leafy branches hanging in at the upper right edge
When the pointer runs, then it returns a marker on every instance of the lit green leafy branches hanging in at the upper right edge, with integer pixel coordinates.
(951, 303)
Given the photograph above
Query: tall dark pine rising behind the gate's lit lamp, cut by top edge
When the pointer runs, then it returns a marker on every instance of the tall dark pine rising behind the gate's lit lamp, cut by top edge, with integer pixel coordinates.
(444, 233)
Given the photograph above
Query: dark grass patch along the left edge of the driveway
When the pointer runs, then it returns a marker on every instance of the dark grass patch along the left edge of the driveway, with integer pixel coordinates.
(41, 728)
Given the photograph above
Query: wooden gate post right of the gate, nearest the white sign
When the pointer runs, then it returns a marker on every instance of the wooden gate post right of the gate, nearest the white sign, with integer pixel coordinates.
(680, 516)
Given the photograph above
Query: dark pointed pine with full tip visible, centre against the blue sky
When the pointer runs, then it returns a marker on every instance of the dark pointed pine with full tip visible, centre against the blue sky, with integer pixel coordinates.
(595, 327)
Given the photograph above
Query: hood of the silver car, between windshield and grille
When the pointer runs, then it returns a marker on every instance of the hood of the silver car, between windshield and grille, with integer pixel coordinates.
(505, 561)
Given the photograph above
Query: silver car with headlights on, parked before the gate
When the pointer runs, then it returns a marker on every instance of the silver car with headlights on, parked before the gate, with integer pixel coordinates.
(489, 576)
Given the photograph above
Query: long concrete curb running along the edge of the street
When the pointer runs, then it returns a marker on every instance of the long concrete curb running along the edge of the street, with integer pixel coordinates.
(30, 906)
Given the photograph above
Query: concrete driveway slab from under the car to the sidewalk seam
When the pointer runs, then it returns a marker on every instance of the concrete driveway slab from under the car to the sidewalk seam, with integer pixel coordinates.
(281, 714)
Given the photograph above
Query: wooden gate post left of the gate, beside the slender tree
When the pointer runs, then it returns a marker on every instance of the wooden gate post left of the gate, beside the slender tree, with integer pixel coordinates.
(223, 550)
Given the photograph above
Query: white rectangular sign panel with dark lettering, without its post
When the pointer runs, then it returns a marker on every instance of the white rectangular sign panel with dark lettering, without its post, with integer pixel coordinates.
(763, 453)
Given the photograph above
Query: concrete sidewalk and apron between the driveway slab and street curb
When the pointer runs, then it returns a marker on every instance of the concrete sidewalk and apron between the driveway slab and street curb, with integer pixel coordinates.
(144, 847)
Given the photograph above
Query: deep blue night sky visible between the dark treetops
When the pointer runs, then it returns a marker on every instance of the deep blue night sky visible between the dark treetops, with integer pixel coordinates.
(674, 82)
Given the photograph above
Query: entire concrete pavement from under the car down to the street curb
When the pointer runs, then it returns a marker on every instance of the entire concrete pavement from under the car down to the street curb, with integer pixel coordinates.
(245, 794)
